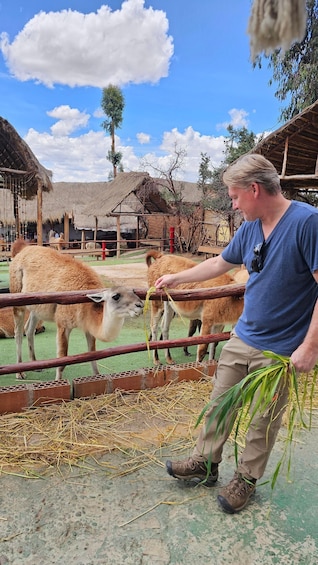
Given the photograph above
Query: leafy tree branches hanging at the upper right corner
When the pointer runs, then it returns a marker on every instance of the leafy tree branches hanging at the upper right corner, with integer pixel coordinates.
(295, 72)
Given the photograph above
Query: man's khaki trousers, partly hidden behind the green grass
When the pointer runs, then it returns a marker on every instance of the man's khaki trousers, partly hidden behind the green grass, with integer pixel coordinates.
(236, 361)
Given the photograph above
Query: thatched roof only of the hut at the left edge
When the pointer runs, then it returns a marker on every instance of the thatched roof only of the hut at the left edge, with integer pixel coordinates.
(18, 162)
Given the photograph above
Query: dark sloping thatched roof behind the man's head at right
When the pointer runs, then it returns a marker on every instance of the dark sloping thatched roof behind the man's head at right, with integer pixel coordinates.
(293, 149)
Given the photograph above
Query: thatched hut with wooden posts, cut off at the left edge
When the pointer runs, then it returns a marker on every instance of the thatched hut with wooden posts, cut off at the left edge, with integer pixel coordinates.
(21, 174)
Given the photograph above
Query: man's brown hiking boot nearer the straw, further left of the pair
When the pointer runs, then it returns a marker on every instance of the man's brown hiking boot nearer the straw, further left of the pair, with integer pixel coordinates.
(189, 469)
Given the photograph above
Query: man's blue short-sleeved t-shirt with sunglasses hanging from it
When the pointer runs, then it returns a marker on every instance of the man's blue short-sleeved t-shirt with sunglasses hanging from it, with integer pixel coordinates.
(279, 300)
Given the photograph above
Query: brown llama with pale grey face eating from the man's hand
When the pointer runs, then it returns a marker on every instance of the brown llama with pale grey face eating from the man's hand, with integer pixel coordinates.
(39, 269)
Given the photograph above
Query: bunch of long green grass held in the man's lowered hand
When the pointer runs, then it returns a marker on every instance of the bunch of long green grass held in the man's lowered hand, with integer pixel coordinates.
(258, 393)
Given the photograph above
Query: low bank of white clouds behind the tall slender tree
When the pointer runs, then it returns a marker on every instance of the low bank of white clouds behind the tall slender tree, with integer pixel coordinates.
(82, 158)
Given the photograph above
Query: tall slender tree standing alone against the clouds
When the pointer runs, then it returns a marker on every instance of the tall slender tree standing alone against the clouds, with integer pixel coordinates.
(113, 104)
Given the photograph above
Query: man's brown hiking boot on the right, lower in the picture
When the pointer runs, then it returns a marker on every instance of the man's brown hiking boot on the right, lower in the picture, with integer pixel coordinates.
(235, 496)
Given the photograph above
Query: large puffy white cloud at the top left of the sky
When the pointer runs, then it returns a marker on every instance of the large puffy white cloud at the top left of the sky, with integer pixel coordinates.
(130, 45)
